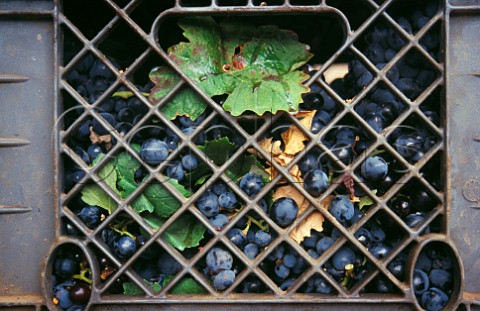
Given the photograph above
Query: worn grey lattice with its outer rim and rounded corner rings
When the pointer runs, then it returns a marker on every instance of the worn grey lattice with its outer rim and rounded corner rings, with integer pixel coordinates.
(148, 29)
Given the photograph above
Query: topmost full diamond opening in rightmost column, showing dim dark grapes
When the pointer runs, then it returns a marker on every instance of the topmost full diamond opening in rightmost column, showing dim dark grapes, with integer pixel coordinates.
(416, 74)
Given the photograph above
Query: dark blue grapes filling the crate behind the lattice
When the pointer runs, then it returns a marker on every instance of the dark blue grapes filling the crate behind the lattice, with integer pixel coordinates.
(220, 204)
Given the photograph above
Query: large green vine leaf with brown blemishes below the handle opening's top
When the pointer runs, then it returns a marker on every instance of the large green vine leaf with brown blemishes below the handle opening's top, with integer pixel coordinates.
(256, 66)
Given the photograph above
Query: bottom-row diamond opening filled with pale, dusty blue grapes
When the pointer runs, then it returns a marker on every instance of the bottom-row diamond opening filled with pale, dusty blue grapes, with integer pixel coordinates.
(220, 266)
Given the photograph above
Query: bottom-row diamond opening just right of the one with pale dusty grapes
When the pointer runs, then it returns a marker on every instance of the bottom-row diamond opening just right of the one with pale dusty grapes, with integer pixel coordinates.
(284, 266)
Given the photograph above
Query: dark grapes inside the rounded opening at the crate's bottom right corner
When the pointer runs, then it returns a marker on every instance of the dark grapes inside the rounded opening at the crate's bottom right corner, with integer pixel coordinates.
(432, 279)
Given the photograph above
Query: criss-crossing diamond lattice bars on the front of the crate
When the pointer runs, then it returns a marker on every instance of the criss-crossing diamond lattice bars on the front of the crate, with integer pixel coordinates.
(252, 141)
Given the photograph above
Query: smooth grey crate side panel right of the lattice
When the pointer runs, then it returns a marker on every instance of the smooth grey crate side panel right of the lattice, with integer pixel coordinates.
(463, 95)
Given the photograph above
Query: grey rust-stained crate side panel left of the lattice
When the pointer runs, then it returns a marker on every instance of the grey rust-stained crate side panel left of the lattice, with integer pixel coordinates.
(26, 184)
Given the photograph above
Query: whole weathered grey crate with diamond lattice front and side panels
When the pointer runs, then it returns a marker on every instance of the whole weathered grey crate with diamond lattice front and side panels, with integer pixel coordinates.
(37, 127)
